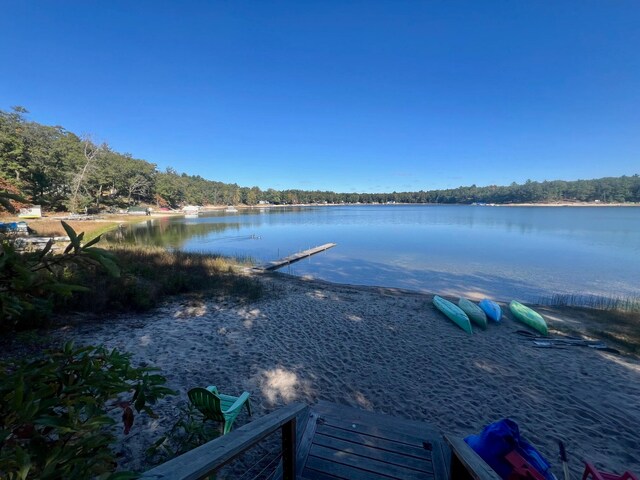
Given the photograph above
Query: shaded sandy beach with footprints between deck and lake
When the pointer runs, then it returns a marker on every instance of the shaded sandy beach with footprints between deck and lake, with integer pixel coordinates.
(383, 350)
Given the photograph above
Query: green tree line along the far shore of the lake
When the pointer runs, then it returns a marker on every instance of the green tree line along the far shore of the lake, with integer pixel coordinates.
(63, 171)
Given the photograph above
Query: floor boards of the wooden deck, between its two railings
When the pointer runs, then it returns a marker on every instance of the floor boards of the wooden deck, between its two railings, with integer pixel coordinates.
(348, 443)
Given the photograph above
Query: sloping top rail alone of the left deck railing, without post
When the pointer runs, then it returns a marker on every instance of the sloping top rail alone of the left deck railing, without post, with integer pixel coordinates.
(203, 460)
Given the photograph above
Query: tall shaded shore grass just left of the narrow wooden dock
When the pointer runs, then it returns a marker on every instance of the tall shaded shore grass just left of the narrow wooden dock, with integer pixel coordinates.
(150, 274)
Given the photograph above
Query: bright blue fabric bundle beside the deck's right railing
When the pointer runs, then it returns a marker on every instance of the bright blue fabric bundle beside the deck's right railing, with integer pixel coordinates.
(500, 438)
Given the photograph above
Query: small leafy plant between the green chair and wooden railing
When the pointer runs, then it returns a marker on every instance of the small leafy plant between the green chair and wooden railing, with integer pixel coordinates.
(189, 432)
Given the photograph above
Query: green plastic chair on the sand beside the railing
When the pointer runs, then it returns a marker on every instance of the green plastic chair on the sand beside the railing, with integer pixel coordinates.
(217, 406)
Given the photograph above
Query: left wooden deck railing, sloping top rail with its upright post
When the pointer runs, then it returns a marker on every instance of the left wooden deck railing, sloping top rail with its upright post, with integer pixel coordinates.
(208, 458)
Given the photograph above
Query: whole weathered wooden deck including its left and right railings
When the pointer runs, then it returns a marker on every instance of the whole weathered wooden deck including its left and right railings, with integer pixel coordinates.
(329, 442)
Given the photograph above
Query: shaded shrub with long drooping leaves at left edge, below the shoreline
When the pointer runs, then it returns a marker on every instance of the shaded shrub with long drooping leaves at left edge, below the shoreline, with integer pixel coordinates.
(31, 283)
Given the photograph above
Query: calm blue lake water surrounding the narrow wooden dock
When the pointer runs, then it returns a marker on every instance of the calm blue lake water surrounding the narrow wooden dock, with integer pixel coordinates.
(500, 252)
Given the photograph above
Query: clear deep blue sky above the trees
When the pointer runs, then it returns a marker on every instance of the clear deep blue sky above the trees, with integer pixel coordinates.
(338, 95)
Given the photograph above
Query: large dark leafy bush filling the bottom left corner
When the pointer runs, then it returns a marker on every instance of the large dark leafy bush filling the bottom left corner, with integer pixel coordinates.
(55, 412)
